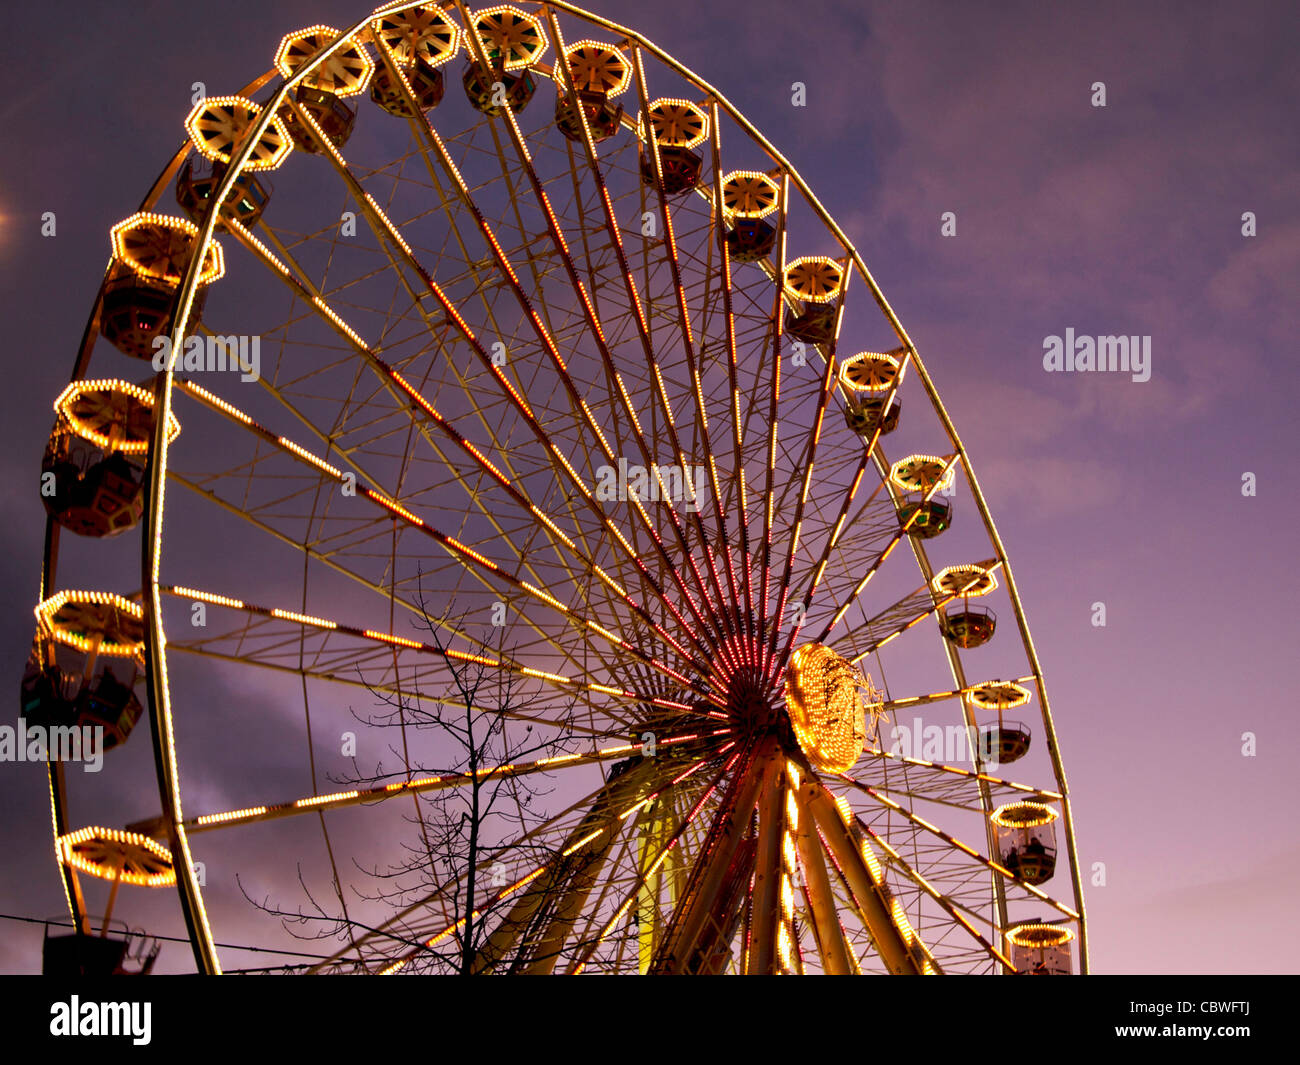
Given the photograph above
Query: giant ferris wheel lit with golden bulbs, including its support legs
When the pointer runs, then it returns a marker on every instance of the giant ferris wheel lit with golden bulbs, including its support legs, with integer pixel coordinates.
(499, 341)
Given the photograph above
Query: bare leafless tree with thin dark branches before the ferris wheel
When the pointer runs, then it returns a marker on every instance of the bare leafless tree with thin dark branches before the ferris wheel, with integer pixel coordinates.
(470, 839)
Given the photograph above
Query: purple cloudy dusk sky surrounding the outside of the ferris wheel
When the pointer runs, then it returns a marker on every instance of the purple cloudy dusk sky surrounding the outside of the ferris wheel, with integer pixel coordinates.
(1117, 220)
